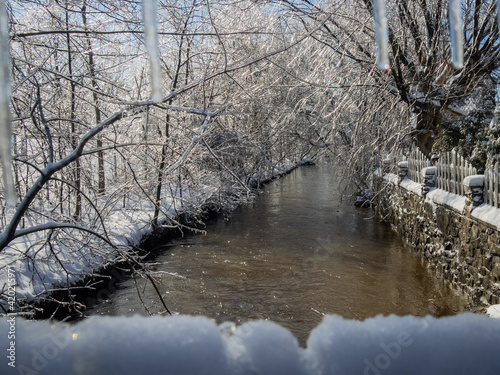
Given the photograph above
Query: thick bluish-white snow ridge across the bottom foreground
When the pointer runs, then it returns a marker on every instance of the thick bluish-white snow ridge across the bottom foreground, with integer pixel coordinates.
(464, 344)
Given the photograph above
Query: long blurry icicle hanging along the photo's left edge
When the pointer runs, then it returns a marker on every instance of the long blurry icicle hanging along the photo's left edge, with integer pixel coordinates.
(5, 117)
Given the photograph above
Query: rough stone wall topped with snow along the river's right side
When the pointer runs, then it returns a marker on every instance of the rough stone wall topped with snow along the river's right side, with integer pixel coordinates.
(439, 225)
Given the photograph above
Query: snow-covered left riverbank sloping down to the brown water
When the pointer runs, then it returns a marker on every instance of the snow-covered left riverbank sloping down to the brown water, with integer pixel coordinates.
(33, 277)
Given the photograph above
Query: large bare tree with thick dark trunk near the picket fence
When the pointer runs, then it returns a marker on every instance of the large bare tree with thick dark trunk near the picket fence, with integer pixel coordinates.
(420, 73)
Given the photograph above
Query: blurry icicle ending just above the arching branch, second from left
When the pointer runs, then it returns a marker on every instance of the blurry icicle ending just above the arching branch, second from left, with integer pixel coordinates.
(151, 36)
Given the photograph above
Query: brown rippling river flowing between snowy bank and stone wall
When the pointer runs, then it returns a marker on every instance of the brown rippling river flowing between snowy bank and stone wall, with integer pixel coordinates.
(298, 252)
